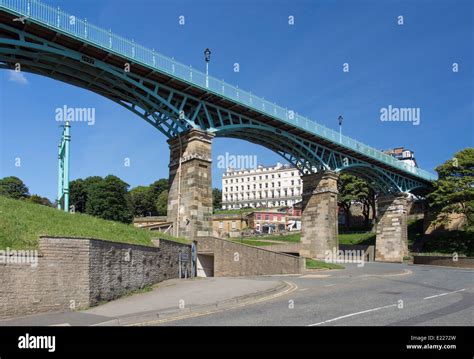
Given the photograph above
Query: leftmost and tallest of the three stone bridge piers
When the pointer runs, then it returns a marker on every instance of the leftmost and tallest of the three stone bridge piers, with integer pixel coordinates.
(190, 194)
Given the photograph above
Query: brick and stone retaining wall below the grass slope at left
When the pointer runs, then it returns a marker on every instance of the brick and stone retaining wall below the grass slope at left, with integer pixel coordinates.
(74, 273)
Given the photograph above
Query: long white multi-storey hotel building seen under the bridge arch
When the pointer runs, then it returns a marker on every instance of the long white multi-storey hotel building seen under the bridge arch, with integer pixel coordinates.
(276, 186)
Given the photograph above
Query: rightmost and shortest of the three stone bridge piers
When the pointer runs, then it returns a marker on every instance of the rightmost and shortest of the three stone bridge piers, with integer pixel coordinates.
(392, 233)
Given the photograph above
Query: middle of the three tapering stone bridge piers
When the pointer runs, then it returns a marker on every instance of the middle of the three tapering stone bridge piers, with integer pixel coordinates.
(319, 221)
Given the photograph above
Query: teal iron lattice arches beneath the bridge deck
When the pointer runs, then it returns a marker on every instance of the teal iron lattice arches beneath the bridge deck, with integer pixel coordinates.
(173, 112)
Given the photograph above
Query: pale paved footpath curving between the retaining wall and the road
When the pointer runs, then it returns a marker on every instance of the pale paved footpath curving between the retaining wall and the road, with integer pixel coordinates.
(172, 298)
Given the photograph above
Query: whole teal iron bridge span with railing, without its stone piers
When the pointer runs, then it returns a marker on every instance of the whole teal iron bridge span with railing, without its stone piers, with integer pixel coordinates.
(175, 98)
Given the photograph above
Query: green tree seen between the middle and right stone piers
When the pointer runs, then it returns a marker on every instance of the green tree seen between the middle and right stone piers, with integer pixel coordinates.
(351, 189)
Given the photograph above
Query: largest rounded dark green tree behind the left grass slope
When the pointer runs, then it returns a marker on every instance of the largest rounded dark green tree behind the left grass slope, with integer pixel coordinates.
(109, 199)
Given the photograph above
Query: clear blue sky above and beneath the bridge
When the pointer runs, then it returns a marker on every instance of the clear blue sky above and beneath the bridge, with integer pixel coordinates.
(297, 66)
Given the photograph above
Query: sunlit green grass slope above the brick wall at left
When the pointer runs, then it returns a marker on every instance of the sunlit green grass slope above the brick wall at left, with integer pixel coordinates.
(22, 222)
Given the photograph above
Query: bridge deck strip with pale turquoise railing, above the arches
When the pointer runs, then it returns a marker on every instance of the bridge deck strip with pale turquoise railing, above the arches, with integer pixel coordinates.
(95, 43)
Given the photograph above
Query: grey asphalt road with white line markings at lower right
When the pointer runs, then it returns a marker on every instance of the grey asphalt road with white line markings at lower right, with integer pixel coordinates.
(377, 294)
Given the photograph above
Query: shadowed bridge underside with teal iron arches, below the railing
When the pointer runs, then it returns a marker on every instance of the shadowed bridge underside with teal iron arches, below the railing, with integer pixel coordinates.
(174, 106)
